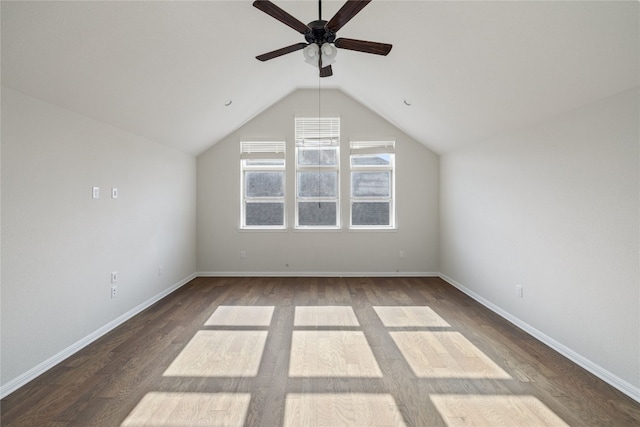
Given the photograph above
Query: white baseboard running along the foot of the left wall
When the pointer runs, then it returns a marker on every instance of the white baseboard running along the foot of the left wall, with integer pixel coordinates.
(41, 368)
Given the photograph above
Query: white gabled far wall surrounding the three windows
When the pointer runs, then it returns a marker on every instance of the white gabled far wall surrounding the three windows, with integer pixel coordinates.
(317, 252)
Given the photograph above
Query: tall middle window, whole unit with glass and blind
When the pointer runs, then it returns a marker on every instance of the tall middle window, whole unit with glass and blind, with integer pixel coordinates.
(317, 172)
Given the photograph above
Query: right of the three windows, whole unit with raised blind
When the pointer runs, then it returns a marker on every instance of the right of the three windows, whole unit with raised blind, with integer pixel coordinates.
(372, 184)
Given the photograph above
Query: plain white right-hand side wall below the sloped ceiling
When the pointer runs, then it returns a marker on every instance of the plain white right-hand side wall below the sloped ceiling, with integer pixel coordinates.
(555, 209)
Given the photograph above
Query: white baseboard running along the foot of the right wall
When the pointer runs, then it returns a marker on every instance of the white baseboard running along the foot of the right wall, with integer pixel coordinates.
(597, 370)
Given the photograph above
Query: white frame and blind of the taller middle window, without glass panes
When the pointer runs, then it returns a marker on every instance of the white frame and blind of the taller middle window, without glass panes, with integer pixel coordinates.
(321, 133)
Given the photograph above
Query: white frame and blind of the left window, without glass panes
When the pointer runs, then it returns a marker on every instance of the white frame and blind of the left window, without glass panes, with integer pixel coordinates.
(261, 150)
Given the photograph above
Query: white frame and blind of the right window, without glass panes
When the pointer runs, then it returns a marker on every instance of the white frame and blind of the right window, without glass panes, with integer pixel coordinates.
(363, 148)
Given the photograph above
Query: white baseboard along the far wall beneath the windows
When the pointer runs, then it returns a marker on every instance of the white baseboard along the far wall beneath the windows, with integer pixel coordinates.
(317, 274)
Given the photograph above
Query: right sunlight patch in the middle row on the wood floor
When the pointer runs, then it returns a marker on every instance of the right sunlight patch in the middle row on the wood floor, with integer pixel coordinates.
(445, 355)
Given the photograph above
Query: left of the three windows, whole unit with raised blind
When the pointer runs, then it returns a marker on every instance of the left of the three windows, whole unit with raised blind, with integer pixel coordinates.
(263, 184)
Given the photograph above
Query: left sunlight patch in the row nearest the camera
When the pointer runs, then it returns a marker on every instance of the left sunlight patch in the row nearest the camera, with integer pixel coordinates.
(190, 409)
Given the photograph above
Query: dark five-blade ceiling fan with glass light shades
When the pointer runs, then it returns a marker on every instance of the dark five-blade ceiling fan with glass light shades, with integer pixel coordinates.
(320, 35)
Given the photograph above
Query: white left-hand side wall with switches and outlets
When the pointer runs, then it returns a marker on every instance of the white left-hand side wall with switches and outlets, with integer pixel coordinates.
(59, 246)
